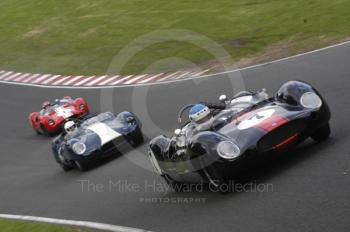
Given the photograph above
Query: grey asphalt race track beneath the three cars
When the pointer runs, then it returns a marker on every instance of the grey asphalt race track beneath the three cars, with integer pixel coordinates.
(311, 185)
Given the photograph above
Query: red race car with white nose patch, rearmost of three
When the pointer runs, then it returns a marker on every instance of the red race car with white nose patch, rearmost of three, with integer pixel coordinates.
(52, 116)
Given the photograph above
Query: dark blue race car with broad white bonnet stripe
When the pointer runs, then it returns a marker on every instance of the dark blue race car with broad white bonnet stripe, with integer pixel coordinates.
(84, 142)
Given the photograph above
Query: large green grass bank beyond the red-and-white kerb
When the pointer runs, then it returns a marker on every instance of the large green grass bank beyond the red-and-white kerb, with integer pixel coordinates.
(83, 36)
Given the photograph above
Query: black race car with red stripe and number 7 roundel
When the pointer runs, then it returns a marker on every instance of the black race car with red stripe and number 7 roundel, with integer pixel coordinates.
(247, 125)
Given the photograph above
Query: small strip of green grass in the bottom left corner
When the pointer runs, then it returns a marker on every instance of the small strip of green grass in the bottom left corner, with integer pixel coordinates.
(21, 226)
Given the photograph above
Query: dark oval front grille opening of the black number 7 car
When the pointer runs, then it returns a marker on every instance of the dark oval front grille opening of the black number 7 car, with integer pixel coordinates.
(280, 134)
